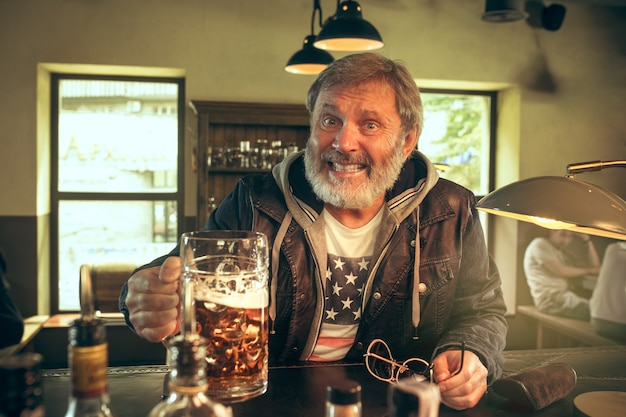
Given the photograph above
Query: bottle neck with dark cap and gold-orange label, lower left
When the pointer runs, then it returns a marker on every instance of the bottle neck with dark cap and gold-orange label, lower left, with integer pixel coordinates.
(88, 361)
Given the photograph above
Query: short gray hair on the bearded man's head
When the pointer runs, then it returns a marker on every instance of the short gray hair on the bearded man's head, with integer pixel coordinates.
(356, 69)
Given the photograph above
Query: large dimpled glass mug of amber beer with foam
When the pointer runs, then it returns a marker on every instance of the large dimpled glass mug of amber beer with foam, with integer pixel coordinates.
(225, 299)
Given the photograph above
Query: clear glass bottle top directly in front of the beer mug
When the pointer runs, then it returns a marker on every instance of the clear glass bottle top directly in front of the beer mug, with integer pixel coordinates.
(187, 382)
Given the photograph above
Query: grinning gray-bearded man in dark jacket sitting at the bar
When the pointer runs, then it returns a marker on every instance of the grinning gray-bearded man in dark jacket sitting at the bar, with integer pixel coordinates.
(360, 191)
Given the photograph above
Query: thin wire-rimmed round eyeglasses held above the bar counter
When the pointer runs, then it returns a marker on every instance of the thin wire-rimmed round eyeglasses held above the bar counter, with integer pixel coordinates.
(381, 365)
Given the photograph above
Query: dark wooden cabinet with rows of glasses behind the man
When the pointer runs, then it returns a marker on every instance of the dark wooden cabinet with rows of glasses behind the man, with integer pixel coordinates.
(235, 139)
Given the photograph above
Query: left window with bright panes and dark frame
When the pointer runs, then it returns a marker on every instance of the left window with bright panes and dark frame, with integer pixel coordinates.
(117, 179)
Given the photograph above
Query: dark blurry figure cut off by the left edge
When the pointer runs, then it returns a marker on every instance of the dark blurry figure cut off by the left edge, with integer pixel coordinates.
(11, 323)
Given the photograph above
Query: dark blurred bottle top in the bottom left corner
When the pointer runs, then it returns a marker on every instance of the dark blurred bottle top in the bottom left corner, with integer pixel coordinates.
(20, 379)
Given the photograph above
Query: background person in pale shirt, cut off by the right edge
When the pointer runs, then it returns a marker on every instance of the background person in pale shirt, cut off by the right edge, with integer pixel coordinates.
(608, 301)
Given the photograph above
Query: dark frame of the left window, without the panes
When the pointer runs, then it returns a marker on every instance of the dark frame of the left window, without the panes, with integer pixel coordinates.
(57, 196)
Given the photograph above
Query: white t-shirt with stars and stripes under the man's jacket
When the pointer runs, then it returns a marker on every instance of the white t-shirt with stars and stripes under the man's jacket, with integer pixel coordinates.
(349, 256)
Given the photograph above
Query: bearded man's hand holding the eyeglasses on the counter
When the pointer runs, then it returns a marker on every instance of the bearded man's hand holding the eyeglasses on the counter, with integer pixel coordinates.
(465, 389)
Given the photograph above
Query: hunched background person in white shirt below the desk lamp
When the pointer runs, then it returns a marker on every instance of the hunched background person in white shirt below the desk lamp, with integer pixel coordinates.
(548, 272)
